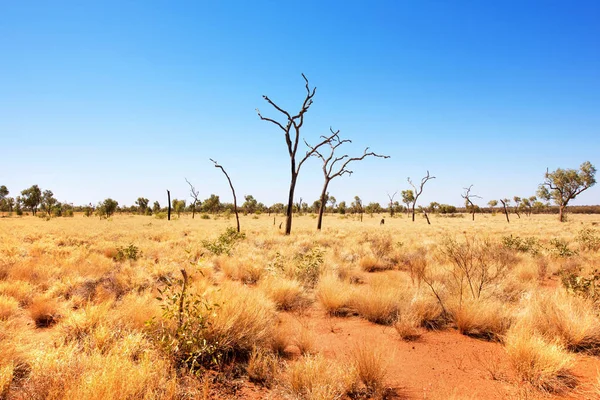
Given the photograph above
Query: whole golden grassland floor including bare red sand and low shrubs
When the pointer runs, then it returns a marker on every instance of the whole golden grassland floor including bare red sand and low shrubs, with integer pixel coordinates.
(405, 310)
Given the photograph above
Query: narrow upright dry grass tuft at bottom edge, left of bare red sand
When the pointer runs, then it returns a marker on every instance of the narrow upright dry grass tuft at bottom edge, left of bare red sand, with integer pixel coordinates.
(371, 368)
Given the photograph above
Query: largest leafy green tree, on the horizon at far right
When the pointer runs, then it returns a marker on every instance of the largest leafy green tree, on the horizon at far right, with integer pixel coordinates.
(563, 185)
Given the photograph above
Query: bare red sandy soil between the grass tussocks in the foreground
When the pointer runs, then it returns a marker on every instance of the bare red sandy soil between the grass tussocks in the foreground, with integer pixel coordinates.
(440, 365)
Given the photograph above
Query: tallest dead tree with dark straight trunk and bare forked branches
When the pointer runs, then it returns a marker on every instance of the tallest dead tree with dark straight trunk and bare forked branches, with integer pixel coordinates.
(291, 129)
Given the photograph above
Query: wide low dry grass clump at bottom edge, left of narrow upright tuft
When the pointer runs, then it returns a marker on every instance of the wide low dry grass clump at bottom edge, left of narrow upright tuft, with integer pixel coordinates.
(316, 378)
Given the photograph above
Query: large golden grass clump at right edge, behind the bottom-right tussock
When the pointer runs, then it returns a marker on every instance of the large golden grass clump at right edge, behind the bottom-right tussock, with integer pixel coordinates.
(570, 320)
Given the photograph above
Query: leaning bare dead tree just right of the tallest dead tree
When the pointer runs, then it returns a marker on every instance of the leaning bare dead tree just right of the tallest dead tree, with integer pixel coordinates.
(335, 166)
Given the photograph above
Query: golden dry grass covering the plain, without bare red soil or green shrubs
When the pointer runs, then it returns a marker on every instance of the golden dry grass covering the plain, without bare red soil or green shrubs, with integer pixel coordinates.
(61, 275)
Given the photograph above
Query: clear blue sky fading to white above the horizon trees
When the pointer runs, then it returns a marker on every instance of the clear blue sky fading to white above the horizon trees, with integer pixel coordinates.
(124, 99)
